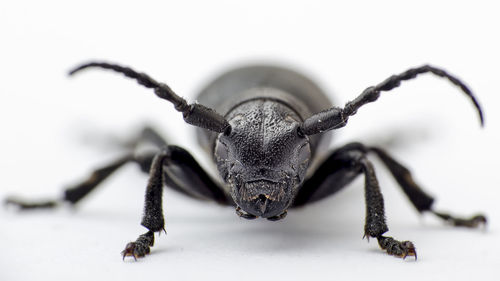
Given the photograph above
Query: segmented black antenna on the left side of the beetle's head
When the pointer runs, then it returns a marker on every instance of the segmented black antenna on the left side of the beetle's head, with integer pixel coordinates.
(194, 114)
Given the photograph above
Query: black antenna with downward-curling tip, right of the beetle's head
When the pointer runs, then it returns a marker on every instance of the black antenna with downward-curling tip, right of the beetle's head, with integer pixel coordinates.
(337, 117)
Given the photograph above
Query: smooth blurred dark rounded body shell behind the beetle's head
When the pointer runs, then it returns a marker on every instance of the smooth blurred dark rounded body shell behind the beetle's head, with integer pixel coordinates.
(236, 87)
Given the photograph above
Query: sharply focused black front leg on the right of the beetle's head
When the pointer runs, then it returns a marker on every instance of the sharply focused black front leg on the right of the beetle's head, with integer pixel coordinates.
(338, 170)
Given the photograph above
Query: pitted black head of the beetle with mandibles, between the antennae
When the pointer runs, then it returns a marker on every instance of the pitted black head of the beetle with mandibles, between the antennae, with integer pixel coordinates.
(263, 159)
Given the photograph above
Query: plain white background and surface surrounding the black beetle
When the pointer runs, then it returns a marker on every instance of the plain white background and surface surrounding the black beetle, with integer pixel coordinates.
(54, 129)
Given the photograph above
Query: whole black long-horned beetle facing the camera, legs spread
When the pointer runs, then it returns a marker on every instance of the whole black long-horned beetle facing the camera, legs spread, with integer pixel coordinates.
(265, 127)
